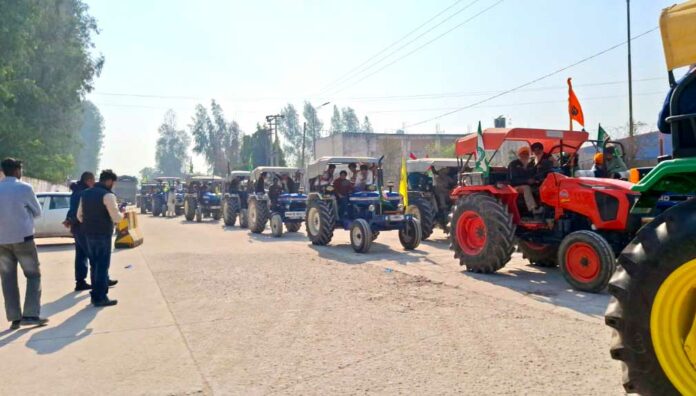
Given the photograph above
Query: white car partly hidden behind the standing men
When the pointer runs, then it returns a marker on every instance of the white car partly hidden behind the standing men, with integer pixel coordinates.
(54, 208)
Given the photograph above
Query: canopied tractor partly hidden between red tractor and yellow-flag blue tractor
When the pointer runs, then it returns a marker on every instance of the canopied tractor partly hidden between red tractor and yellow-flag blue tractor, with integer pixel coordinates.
(429, 183)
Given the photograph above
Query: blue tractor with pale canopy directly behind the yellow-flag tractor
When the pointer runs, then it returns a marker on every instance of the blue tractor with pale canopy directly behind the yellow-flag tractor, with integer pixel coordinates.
(275, 197)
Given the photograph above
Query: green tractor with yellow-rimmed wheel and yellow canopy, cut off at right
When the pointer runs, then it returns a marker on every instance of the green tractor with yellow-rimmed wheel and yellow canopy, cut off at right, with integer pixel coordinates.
(653, 305)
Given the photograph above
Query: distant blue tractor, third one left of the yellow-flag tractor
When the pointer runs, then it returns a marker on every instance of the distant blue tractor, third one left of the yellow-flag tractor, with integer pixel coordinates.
(203, 198)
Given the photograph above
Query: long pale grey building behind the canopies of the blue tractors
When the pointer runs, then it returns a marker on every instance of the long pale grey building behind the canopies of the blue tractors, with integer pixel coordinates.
(392, 146)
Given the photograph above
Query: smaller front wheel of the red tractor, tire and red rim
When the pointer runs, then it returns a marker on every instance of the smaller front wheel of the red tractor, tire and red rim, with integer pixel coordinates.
(587, 261)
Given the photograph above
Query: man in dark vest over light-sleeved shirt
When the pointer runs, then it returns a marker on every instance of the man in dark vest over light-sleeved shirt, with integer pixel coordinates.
(98, 211)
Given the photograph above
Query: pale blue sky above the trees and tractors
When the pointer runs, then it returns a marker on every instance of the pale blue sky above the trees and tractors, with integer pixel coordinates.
(256, 56)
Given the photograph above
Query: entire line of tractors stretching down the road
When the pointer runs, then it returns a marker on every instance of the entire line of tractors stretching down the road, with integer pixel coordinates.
(632, 231)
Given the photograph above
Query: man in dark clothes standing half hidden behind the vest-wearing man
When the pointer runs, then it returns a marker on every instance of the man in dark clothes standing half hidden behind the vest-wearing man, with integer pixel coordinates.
(86, 181)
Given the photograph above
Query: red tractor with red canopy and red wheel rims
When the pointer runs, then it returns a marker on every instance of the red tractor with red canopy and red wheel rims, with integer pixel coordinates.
(583, 224)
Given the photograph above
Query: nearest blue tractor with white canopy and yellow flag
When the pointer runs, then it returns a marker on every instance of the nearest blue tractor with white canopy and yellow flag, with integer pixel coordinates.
(348, 193)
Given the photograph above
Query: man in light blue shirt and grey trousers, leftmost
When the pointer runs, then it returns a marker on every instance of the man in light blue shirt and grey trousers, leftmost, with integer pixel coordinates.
(18, 208)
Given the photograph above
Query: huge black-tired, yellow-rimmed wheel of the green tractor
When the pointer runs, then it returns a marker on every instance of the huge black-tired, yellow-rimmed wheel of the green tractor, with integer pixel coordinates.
(653, 306)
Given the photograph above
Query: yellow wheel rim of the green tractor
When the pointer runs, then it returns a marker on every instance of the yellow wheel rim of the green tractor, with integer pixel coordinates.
(673, 327)
